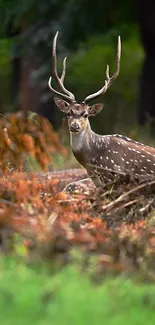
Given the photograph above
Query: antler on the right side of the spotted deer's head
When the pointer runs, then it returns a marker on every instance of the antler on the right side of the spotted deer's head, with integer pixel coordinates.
(109, 80)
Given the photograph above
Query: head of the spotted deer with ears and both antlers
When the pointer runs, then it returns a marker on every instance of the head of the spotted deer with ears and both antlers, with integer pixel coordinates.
(78, 114)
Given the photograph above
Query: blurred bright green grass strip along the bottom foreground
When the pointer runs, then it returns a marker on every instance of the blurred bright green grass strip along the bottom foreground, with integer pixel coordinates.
(33, 296)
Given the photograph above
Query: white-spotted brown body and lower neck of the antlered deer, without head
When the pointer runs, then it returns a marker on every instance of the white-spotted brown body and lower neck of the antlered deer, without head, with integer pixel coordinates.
(106, 156)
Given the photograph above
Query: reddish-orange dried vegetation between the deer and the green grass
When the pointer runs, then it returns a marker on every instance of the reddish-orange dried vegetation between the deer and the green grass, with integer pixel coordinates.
(52, 222)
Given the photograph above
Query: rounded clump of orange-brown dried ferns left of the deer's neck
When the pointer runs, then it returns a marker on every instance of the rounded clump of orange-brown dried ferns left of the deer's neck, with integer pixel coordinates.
(23, 135)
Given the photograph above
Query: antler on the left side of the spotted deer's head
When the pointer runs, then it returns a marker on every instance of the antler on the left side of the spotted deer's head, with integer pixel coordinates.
(55, 74)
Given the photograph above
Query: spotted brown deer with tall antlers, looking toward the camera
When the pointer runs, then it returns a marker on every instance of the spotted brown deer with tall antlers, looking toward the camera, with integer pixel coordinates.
(103, 156)
